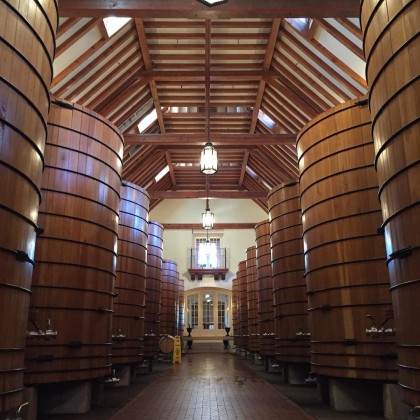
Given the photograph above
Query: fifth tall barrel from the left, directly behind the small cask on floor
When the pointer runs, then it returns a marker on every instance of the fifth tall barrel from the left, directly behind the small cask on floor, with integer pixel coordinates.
(169, 298)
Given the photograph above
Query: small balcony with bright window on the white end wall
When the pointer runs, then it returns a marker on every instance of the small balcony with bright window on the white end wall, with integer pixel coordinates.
(208, 260)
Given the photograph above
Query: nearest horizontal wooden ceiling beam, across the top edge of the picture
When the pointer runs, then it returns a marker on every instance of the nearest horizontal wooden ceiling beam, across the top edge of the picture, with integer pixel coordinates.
(193, 9)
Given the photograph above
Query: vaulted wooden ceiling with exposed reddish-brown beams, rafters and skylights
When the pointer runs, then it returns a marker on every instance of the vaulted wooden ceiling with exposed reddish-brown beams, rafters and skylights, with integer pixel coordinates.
(248, 75)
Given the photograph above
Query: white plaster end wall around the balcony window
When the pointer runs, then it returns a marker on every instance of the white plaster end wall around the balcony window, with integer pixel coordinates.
(177, 242)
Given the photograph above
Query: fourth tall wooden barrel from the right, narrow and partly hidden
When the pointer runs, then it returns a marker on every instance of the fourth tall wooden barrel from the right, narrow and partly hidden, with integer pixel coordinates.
(265, 290)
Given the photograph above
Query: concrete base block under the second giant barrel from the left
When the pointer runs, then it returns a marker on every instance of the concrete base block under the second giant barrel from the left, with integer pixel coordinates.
(65, 398)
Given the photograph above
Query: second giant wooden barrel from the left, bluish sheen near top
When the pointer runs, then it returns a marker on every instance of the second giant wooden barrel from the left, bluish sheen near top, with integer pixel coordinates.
(73, 279)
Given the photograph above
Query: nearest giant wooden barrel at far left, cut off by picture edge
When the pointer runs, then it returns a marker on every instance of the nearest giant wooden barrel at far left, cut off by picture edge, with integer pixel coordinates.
(27, 45)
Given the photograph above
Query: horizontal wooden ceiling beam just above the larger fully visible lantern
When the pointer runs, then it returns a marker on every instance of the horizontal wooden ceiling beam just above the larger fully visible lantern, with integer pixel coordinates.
(197, 139)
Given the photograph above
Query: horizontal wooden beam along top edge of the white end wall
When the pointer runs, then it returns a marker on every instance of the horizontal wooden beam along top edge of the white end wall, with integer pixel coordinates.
(250, 195)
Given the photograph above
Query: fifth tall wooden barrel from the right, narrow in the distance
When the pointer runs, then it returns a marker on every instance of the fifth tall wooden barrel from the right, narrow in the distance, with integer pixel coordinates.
(252, 297)
